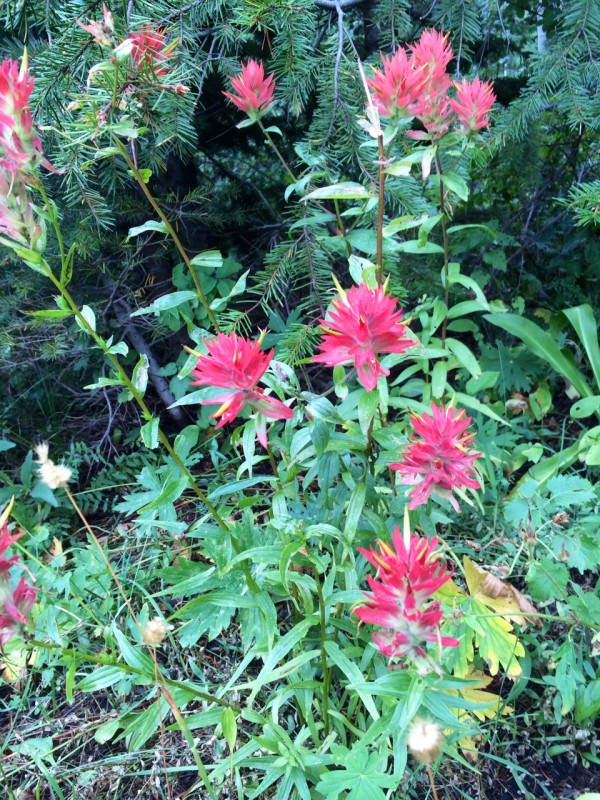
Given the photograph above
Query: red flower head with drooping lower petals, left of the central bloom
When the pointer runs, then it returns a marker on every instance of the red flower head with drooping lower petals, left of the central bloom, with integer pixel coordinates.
(238, 364)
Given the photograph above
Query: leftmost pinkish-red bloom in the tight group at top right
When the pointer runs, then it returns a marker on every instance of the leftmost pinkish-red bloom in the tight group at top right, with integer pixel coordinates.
(397, 86)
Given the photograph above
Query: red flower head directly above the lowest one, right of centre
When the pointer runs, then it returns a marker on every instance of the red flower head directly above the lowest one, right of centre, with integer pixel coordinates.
(438, 461)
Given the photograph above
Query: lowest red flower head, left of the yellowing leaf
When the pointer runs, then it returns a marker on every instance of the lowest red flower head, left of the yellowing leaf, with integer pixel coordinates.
(408, 577)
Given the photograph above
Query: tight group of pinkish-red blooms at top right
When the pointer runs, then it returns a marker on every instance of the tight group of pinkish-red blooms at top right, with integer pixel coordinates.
(417, 85)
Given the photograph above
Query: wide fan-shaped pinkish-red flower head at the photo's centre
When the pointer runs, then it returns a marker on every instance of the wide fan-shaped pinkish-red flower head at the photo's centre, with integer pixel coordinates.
(363, 323)
